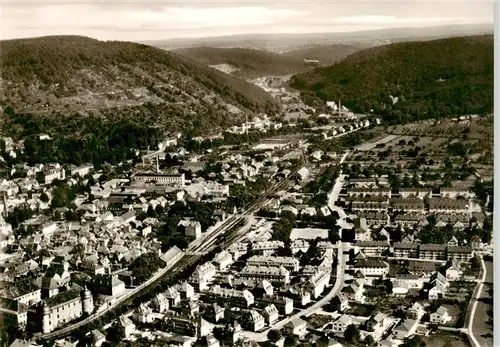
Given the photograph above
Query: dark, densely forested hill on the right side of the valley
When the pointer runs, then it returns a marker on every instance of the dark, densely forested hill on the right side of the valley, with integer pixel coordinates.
(429, 79)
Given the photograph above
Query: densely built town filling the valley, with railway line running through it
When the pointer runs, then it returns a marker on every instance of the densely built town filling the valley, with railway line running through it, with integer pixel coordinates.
(321, 228)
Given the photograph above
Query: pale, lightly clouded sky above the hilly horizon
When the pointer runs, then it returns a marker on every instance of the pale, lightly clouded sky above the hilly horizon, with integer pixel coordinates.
(162, 19)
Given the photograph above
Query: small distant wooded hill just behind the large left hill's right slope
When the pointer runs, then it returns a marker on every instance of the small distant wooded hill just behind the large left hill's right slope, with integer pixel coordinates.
(248, 63)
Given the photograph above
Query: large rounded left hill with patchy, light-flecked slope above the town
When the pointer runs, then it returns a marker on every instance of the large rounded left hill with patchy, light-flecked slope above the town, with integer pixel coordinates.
(58, 76)
